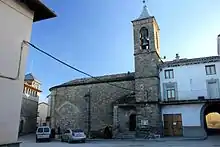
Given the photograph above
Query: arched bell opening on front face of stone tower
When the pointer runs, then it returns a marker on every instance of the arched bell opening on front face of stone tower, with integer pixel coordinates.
(144, 38)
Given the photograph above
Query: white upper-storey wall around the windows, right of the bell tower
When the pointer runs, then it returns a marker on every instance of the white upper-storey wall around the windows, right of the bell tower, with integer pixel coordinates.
(191, 80)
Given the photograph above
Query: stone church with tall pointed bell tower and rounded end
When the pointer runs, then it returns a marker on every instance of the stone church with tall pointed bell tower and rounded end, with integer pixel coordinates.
(128, 102)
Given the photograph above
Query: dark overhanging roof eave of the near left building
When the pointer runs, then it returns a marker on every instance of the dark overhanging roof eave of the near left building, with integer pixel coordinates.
(41, 11)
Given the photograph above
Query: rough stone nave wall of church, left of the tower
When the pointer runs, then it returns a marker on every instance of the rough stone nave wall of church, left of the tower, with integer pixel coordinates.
(69, 104)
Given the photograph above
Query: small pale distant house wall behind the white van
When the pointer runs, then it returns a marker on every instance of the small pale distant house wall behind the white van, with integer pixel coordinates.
(42, 112)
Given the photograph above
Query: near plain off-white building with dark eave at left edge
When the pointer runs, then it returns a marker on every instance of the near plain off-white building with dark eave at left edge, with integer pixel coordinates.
(16, 18)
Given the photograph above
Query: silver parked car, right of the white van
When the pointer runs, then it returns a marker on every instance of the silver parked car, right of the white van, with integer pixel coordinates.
(73, 136)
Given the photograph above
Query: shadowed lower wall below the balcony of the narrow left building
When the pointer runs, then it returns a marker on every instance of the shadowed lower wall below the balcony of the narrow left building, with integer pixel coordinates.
(28, 117)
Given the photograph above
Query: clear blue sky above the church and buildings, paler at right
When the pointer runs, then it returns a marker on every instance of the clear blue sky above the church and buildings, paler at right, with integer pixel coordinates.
(96, 36)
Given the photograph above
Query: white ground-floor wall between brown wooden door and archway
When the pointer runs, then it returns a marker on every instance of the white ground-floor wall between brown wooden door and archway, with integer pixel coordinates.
(190, 113)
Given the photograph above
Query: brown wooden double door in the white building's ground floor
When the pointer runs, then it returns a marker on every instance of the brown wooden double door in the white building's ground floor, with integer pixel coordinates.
(172, 125)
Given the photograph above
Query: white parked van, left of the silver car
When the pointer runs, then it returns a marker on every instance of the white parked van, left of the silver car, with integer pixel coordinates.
(43, 133)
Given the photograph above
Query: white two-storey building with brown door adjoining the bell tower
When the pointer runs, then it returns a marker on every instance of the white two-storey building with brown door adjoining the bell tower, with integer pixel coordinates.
(189, 91)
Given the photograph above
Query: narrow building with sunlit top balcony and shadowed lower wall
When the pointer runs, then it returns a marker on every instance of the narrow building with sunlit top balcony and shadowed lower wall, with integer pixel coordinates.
(29, 105)
